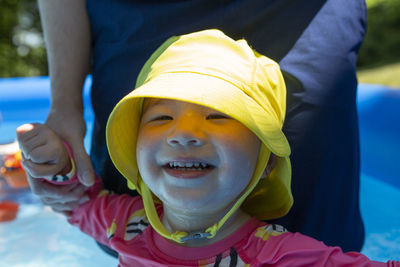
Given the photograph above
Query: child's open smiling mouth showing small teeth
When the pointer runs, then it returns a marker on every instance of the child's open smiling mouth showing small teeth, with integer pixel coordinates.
(187, 170)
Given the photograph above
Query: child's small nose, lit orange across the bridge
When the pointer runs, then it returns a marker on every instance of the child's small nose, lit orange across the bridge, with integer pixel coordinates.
(186, 134)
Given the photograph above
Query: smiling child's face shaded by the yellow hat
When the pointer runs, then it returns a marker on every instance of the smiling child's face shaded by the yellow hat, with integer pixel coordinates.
(192, 157)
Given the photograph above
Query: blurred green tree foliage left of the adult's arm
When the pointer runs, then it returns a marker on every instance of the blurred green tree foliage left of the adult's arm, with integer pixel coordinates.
(22, 50)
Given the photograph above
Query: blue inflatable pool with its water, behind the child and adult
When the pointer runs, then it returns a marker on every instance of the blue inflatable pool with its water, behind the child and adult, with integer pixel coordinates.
(39, 237)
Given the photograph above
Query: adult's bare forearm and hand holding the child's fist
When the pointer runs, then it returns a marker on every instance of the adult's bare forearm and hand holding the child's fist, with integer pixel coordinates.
(67, 35)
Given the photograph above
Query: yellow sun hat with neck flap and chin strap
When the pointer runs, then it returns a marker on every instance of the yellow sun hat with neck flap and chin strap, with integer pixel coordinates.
(210, 69)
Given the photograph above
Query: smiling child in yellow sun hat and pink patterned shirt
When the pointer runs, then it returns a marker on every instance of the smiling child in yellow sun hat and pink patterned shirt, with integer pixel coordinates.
(200, 138)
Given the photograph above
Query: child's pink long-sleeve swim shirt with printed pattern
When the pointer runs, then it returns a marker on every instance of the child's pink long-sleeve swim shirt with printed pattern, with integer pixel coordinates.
(119, 221)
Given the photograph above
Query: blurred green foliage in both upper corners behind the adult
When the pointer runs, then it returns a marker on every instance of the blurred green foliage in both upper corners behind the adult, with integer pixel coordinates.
(22, 51)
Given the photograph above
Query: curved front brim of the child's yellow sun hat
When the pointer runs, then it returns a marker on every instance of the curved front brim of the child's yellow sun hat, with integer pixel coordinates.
(206, 90)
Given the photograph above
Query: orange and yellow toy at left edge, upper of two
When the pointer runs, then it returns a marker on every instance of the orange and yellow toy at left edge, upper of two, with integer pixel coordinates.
(13, 172)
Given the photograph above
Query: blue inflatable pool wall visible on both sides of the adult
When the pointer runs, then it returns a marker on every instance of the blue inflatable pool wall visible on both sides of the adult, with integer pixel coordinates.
(28, 100)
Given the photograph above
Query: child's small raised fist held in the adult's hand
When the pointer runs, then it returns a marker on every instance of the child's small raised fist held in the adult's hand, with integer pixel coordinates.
(43, 152)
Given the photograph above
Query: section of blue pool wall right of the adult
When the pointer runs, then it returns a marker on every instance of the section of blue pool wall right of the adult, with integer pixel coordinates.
(379, 120)
